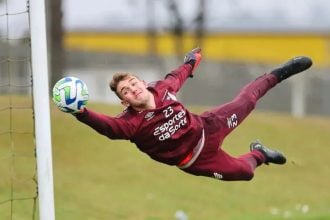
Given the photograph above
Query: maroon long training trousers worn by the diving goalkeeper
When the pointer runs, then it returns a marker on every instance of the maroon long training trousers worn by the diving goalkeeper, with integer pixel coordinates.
(218, 123)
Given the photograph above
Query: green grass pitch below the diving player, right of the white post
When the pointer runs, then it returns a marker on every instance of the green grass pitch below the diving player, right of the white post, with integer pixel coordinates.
(101, 179)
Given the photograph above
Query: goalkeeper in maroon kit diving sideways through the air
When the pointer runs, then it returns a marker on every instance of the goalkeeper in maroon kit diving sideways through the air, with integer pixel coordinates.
(163, 128)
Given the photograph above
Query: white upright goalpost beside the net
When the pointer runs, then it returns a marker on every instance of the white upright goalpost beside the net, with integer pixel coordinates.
(41, 108)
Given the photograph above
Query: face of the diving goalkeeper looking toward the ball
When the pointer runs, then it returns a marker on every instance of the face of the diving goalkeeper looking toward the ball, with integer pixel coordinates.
(133, 92)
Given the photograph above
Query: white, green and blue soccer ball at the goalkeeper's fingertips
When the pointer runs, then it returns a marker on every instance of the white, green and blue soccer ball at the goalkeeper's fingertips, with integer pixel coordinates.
(70, 94)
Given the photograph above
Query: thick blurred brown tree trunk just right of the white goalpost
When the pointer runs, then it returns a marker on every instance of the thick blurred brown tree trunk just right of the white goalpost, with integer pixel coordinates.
(55, 40)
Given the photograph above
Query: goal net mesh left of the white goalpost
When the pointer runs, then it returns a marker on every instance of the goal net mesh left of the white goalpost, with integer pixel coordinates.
(18, 187)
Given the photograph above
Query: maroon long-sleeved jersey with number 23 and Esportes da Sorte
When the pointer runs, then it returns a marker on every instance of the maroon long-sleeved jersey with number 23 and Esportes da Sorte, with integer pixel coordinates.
(167, 133)
